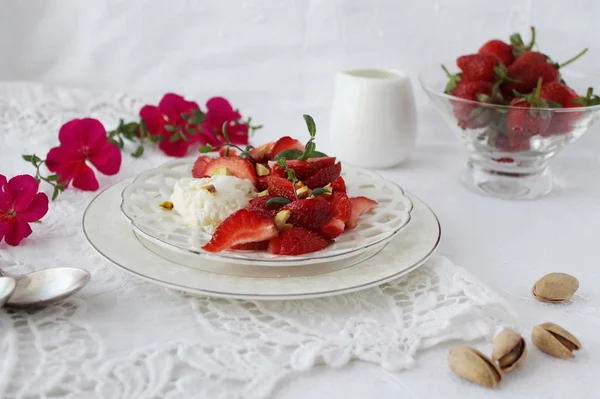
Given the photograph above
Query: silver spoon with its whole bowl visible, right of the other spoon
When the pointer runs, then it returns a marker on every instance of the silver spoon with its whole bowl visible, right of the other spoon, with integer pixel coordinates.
(47, 286)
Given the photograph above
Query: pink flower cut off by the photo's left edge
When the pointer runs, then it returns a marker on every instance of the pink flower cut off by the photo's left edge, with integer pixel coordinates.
(20, 204)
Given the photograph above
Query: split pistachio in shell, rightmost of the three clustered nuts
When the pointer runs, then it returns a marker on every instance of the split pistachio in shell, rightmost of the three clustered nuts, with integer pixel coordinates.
(554, 340)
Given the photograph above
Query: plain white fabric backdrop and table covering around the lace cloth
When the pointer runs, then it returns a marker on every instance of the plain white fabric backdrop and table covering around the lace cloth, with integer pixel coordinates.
(276, 59)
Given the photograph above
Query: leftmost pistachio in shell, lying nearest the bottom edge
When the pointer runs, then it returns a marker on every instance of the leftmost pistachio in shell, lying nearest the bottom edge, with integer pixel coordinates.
(473, 366)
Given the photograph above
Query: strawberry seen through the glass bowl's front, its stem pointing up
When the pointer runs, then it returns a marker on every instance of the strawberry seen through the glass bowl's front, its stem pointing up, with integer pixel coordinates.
(524, 120)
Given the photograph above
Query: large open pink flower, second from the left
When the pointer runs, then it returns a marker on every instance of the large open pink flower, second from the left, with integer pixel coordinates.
(83, 140)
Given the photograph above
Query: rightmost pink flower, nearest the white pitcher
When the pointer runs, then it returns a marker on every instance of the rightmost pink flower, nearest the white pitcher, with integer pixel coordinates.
(219, 111)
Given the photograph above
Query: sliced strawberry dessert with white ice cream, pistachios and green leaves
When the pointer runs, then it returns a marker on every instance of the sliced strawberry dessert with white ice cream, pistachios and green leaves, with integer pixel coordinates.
(283, 197)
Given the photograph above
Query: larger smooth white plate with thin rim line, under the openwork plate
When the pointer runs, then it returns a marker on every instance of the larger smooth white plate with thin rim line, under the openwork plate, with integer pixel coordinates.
(110, 234)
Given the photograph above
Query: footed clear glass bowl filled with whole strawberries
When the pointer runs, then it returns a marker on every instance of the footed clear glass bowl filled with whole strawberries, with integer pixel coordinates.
(514, 108)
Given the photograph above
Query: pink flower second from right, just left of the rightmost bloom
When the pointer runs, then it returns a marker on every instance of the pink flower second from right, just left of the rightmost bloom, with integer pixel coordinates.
(167, 120)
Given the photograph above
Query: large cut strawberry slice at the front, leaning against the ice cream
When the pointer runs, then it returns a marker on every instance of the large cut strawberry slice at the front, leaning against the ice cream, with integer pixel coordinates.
(241, 227)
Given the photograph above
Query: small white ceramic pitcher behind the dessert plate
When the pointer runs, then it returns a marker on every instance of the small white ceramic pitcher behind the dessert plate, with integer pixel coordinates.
(373, 120)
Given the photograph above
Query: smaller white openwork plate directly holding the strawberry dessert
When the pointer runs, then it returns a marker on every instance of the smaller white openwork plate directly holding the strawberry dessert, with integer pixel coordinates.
(140, 199)
